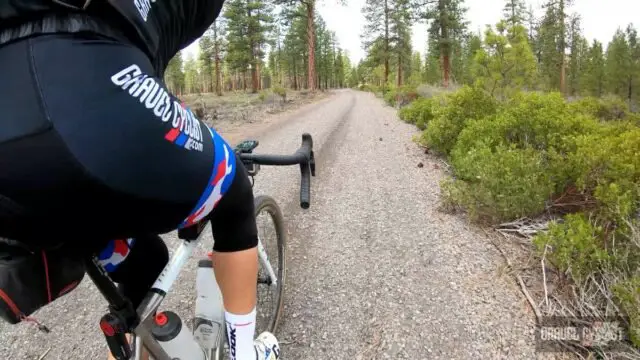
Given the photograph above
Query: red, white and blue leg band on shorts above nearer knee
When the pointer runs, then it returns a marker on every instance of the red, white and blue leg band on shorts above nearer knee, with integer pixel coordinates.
(222, 173)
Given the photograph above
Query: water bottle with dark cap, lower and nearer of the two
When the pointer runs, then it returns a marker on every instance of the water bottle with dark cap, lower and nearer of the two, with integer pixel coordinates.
(175, 338)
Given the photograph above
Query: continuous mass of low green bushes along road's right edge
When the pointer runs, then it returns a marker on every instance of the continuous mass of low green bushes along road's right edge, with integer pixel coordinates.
(534, 153)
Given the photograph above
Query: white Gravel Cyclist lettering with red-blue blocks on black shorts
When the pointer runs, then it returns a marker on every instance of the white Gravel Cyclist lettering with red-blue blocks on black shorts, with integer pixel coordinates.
(186, 130)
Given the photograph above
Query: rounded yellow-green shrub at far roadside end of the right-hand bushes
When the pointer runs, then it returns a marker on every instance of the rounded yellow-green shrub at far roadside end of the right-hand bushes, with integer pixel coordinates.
(461, 107)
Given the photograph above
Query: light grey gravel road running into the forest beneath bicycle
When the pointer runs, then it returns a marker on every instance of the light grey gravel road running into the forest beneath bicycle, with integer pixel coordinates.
(374, 270)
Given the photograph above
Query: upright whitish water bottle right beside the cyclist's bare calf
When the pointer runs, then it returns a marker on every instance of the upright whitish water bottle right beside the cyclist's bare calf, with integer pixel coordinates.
(208, 325)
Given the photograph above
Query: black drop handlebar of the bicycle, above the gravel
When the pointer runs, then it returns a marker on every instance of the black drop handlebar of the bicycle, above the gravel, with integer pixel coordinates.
(303, 156)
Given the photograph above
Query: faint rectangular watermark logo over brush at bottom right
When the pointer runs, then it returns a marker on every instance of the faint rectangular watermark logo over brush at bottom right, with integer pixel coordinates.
(564, 334)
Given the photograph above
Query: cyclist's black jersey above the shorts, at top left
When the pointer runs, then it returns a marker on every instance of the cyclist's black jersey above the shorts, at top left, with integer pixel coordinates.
(159, 27)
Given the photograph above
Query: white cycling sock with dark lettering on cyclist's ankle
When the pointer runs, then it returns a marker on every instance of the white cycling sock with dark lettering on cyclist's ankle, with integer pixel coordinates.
(240, 332)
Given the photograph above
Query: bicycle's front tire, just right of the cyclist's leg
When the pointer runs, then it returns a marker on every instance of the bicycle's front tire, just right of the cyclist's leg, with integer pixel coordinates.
(262, 203)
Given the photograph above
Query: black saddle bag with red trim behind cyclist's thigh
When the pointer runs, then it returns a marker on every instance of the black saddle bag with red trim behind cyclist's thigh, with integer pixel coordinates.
(31, 279)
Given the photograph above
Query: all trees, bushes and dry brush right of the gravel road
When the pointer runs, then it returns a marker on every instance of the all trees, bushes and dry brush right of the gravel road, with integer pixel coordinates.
(544, 148)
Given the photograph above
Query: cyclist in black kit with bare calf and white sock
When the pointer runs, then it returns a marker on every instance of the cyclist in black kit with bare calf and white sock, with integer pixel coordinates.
(94, 147)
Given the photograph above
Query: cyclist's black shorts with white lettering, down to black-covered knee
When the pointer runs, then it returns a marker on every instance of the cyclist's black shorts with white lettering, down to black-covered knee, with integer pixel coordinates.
(94, 147)
